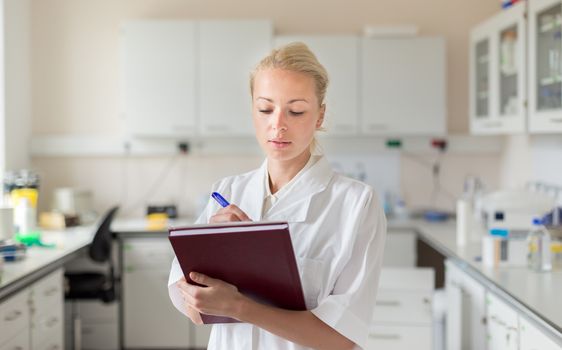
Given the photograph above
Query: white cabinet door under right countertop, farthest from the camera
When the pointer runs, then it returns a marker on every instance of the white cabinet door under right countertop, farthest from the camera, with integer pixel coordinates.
(466, 310)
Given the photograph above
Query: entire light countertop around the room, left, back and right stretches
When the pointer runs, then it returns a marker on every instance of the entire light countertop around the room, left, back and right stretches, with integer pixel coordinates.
(535, 294)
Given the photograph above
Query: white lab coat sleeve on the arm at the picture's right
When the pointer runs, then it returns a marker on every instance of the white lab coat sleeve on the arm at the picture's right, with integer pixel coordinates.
(349, 308)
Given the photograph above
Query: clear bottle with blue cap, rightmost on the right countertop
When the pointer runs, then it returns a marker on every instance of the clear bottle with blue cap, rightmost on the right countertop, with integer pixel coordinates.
(538, 243)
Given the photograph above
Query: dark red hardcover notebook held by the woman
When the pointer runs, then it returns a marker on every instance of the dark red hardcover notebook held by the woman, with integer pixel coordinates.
(256, 257)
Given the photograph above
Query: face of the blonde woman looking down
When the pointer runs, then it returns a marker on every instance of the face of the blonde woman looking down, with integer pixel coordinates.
(286, 113)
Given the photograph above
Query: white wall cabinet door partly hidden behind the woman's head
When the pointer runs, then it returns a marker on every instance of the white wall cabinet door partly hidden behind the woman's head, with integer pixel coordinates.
(339, 54)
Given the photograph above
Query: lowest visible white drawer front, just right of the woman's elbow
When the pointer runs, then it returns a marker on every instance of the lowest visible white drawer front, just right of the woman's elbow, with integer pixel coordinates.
(398, 338)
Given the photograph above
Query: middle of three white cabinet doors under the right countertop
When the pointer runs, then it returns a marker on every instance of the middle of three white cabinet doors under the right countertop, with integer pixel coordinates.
(502, 325)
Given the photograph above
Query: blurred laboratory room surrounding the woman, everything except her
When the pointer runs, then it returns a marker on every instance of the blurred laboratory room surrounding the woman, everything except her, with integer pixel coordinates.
(118, 115)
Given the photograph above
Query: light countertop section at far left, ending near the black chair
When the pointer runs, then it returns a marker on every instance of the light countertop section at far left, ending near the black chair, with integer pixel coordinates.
(40, 261)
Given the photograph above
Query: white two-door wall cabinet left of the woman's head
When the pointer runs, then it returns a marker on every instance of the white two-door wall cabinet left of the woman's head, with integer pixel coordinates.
(182, 78)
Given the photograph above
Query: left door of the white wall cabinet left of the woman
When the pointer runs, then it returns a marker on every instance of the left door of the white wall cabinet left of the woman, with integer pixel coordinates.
(158, 78)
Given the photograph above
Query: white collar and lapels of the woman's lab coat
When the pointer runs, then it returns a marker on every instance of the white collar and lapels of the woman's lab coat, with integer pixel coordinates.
(293, 206)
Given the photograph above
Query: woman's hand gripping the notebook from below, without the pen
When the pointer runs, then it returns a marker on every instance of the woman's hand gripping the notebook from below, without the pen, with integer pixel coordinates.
(216, 298)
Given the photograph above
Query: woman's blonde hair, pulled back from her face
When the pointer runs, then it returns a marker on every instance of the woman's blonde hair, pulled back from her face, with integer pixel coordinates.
(297, 57)
